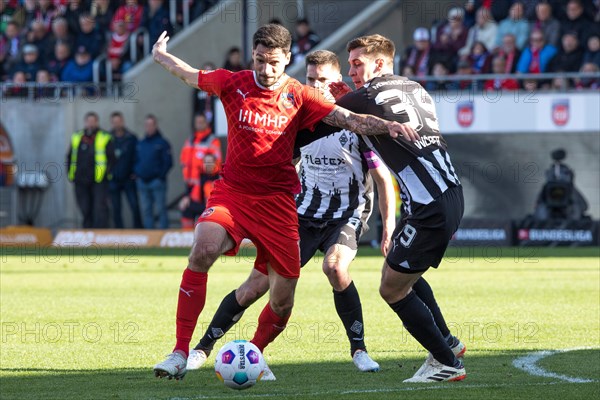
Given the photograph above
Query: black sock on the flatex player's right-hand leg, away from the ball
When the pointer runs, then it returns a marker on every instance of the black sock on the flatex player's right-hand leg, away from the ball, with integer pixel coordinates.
(348, 307)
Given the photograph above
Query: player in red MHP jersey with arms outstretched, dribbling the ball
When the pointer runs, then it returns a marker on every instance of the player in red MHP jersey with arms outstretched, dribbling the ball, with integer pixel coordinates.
(265, 109)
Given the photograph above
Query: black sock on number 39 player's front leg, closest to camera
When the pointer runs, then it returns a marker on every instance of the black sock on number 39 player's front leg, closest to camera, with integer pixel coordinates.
(418, 321)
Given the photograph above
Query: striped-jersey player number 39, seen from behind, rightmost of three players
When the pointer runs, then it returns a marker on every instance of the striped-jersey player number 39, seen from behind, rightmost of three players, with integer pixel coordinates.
(432, 199)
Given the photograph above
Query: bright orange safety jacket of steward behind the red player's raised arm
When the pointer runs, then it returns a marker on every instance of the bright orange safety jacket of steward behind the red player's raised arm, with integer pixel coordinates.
(192, 163)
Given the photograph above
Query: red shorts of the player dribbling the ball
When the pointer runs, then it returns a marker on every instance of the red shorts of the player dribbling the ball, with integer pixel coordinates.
(269, 220)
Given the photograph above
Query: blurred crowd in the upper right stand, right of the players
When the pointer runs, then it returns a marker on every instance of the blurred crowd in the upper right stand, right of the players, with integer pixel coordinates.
(507, 37)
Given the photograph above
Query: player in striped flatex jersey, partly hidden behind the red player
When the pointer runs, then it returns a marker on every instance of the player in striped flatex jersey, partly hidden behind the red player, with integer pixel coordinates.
(333, 208)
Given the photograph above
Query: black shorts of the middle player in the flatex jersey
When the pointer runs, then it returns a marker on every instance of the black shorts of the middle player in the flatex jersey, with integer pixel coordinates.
(316, 234)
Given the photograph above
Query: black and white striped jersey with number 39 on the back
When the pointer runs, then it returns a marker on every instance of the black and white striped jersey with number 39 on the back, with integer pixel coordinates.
(423, 169)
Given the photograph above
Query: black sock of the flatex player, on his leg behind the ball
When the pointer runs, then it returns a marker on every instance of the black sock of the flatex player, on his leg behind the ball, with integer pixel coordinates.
(227, 315)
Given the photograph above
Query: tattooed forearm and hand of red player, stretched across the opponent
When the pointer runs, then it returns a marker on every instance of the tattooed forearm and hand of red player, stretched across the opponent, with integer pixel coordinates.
(364, 124)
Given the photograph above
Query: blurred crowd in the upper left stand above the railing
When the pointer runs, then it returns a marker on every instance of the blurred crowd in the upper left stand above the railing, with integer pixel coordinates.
(57, 40)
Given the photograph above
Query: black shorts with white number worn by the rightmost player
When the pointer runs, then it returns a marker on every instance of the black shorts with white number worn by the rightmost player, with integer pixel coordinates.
(420, 240)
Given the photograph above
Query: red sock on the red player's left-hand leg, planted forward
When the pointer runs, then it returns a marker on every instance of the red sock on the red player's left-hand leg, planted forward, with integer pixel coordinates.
(192, 295)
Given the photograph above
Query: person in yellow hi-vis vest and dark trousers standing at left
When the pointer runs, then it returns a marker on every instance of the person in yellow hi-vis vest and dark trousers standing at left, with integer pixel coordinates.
(90, 158)
